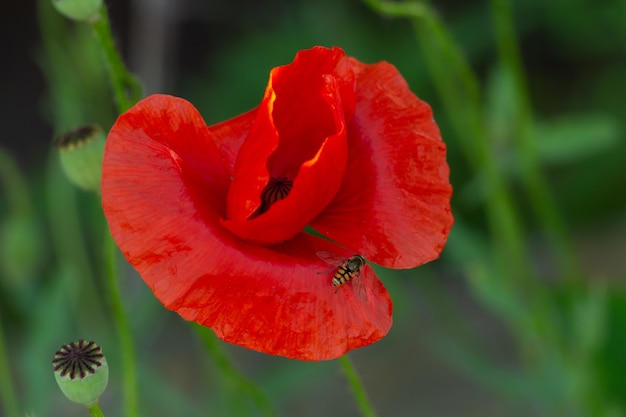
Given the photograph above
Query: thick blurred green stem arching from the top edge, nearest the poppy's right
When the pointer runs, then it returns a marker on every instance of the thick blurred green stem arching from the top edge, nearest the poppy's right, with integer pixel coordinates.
(459, 89)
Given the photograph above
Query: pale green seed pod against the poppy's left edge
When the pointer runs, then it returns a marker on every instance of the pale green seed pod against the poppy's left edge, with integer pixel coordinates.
(81, 152)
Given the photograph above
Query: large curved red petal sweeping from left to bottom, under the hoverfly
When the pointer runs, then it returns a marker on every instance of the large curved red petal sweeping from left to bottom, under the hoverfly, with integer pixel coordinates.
(164, 190)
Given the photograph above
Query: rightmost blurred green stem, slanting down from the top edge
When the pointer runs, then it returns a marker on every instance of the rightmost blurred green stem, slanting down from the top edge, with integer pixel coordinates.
(532, 177)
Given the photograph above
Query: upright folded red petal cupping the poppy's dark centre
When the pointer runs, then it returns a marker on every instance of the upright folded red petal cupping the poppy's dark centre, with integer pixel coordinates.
(299, 134)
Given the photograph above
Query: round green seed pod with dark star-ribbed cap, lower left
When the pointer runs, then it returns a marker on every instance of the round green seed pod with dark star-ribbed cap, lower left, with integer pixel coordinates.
(82, 372)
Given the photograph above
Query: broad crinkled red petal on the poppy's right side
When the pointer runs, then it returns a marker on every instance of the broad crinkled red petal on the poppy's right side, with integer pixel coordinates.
(394, 203)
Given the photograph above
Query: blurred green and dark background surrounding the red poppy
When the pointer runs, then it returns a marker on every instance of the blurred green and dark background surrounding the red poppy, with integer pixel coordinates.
(466, 340)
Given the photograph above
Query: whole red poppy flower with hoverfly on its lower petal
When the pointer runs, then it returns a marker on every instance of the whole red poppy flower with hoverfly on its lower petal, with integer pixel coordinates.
(213, 218)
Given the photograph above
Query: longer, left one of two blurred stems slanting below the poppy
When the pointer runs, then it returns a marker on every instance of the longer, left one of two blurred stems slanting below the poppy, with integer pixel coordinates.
(230, 374)
